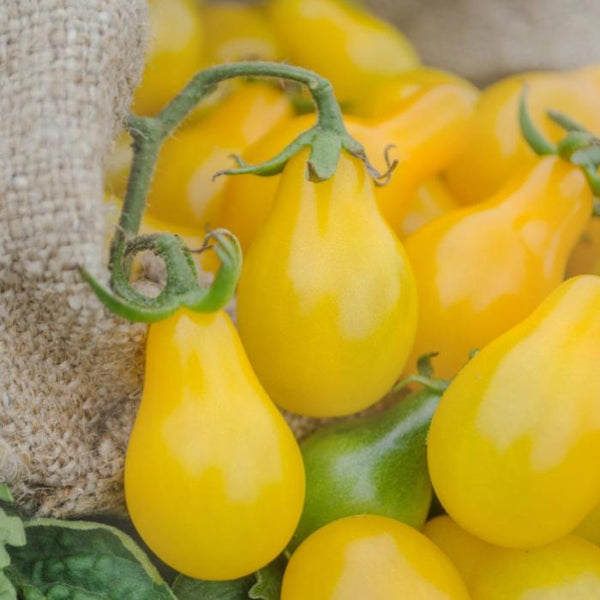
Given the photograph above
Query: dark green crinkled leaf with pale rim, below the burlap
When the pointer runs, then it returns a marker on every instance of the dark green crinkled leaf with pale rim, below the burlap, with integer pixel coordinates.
(70, 560)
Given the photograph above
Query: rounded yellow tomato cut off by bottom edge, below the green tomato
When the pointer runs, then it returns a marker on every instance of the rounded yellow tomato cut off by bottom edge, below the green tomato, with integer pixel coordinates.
(370, 557)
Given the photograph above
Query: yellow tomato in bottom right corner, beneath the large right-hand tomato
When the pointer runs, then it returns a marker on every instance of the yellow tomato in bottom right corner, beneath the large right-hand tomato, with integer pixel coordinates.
(567, 569)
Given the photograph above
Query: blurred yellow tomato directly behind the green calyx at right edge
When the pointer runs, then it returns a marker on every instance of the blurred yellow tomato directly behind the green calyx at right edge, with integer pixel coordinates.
(495, 148)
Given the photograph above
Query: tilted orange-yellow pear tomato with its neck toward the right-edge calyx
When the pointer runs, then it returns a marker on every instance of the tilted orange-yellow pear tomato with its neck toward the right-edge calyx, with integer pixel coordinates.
(483, 268)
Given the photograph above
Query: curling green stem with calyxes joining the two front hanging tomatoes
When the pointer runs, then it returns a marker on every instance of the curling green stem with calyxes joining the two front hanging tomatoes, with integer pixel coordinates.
(327, 139)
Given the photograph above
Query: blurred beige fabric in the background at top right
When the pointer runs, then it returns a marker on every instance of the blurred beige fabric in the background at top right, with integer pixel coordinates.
(484, 40)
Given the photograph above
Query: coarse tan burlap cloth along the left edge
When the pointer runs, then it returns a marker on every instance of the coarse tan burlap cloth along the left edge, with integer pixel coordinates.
(69, 373)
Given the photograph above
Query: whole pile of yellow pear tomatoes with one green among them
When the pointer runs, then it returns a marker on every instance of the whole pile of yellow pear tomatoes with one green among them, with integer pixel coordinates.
(477, 257)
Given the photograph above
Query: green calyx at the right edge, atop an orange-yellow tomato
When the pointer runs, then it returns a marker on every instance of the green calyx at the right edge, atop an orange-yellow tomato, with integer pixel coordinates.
(579, 146)
